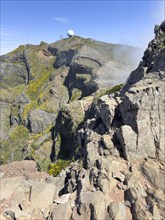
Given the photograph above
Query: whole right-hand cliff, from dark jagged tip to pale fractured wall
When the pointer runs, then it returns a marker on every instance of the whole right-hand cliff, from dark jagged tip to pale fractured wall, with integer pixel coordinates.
(142, 106)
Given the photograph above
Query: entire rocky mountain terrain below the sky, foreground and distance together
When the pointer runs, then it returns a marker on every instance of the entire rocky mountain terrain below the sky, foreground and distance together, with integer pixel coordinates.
(75, 142)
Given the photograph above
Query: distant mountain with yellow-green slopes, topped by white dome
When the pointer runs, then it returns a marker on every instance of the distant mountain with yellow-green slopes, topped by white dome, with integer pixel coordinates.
(36, 82)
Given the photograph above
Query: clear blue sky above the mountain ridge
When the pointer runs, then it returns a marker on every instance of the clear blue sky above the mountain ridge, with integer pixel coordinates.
(123, 22)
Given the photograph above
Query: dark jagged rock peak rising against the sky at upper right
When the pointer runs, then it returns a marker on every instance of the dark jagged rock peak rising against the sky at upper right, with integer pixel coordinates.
(152, 64)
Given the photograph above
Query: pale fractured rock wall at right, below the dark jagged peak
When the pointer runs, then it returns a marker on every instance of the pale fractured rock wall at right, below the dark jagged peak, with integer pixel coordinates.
(142, 109)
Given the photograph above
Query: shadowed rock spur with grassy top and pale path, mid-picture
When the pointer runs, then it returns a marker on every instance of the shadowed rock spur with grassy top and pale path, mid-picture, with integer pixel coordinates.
(69, 121)
